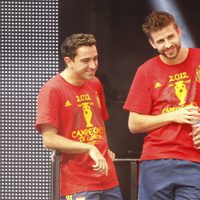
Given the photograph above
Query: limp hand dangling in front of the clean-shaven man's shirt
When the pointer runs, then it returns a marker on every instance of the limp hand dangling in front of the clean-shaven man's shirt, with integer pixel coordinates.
(100, 162)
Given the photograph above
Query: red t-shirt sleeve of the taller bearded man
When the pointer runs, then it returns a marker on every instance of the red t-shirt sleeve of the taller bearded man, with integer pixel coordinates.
(139, 98)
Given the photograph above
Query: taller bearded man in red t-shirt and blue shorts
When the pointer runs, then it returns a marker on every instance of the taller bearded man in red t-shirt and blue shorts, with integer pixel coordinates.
(163, 101)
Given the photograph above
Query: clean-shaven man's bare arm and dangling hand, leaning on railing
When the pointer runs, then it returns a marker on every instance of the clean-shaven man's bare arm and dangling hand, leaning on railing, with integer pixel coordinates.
(51, 140)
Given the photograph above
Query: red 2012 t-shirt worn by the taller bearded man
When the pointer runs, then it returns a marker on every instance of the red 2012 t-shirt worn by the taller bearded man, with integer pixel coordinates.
(159, 88)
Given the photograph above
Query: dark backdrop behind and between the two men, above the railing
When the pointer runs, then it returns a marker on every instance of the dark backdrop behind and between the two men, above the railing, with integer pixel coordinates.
(122, 48)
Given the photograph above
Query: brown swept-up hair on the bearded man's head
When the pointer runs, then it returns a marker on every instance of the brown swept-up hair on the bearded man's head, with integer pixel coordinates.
(157, 20)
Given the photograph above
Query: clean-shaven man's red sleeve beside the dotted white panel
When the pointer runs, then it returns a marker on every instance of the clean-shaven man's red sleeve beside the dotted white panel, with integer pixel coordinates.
(47, 107)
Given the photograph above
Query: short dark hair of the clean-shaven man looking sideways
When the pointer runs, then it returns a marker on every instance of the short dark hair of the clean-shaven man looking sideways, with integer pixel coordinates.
(72, 43)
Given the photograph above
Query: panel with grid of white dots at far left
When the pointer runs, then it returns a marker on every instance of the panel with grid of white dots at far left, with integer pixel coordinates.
(28, 57)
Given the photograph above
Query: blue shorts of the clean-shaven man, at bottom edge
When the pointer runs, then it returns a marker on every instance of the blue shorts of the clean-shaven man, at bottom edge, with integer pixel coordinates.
(110, 194)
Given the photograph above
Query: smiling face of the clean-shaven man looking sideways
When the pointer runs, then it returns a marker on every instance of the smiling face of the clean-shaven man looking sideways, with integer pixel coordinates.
(85, 63)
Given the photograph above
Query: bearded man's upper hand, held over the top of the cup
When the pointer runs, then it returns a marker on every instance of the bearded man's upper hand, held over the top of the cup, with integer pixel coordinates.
(187, 115)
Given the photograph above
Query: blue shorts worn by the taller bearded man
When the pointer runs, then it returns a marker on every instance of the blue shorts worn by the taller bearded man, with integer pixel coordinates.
(169, 179)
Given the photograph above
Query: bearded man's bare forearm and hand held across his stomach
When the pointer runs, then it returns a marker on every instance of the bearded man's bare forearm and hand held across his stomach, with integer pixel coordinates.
(139, 123)
